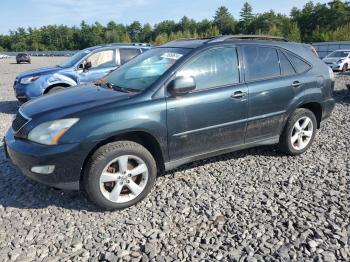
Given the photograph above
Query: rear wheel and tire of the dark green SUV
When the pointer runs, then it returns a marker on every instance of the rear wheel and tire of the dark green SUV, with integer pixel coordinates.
(295, 140)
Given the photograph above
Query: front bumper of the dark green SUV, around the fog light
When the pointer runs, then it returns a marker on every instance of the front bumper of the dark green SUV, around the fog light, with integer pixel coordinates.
(68, 160)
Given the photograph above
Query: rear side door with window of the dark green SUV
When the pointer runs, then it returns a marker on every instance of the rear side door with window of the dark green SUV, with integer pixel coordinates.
(273, 84)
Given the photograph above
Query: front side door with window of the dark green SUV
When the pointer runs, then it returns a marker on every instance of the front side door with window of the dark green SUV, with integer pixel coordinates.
(213, 116)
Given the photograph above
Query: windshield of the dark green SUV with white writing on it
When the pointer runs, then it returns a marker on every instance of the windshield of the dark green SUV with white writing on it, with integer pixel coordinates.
(141, 72)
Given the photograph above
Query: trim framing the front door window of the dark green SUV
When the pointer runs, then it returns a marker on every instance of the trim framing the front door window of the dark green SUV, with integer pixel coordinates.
(195, 55)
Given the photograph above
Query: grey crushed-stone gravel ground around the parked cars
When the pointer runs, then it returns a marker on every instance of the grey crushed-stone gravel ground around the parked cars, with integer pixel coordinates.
(251, 205)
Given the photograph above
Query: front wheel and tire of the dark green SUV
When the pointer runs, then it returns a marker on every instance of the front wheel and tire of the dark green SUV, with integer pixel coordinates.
(113, 190)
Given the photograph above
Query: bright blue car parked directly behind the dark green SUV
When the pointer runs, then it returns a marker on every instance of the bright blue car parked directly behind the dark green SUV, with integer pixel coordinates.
(84, 67)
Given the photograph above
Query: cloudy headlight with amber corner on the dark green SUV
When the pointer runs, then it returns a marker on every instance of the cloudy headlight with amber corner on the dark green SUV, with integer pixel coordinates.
(49, 133)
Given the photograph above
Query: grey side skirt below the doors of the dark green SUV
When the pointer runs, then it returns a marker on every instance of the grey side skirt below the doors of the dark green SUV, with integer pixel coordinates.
(179, 162)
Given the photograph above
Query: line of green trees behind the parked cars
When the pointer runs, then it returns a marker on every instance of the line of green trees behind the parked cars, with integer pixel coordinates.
(312, 23)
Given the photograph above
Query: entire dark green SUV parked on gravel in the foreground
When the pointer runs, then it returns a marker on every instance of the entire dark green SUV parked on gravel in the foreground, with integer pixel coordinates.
(177, 103)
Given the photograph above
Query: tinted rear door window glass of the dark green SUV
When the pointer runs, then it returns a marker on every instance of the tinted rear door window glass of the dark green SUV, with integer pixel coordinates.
(261, 63)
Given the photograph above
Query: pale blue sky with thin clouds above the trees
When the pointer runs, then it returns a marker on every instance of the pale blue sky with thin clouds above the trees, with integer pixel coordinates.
(36, 13)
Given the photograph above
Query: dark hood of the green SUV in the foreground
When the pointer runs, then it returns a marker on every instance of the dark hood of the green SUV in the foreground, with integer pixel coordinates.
(71, 101)
